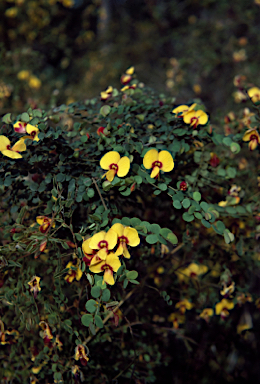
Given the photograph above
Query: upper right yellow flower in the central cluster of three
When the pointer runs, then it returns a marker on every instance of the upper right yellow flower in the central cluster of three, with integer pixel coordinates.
(126, 236)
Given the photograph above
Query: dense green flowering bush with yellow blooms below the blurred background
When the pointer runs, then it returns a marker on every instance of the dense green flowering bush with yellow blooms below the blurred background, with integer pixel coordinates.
(128, 229)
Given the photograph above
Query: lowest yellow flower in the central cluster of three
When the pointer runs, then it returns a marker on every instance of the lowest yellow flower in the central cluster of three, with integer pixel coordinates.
(108, 266)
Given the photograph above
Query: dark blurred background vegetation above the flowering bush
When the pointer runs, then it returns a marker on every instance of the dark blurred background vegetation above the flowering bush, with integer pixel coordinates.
(59, 51)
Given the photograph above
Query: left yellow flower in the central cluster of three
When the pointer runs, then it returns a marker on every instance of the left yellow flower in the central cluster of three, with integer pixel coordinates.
(102, 242)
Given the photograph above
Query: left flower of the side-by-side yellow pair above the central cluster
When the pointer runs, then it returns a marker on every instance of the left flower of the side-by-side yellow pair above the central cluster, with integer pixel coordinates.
(115, 165)
